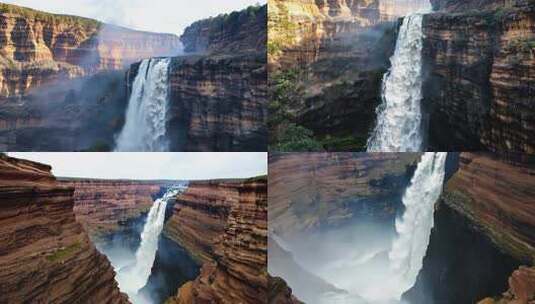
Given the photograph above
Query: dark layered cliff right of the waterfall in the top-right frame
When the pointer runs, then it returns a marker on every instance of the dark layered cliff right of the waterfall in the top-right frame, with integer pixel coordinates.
(480, 58)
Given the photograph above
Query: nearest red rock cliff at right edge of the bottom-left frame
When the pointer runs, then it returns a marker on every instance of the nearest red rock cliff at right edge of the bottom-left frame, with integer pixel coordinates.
(238, 273)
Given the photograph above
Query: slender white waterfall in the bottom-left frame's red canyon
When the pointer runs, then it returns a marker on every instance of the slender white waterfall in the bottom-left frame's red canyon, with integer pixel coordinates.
(134, 277)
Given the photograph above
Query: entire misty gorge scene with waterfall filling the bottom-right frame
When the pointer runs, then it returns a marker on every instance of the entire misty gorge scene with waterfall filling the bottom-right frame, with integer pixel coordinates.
(386, 235)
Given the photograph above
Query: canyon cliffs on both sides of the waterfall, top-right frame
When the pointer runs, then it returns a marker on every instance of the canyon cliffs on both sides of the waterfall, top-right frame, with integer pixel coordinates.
(328, 60)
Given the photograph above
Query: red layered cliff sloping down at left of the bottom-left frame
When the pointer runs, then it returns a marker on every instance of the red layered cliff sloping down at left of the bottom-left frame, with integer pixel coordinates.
(45, 255)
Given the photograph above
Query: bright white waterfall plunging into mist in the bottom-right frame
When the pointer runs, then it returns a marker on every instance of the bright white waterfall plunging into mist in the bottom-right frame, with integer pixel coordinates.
(414, 228)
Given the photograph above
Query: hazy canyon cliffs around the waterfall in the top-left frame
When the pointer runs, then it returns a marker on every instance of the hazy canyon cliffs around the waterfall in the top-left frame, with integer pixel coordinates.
(85, 71)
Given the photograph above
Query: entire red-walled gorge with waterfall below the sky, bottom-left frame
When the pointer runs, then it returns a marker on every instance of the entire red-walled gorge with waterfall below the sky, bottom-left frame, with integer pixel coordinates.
(130, 241)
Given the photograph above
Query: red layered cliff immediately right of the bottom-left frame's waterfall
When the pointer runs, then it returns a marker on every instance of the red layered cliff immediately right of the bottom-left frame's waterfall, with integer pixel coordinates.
(200, 216)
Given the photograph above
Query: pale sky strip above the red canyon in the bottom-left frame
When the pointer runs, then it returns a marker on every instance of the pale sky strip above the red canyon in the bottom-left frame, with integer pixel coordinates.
(176, 166)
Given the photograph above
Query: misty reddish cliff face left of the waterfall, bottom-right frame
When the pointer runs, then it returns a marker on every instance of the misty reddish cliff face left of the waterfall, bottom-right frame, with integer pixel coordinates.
(309, 191)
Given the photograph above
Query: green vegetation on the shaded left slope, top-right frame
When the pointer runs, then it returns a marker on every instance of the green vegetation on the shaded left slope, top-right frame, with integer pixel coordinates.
(285, 134)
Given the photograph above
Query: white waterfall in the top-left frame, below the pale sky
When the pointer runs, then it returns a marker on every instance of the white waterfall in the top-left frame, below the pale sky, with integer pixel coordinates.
(145, 126)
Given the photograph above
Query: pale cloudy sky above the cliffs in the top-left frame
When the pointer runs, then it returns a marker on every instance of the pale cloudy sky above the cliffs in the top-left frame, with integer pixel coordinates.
(163, 16)
